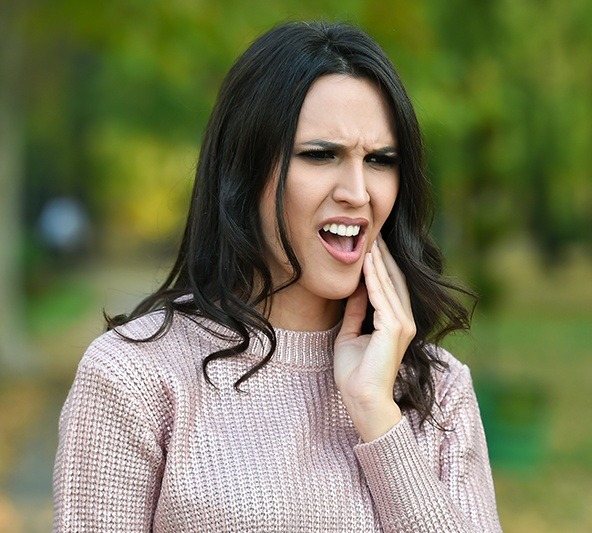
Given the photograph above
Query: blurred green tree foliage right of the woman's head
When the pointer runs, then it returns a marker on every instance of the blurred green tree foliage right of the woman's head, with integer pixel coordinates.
(502, 90)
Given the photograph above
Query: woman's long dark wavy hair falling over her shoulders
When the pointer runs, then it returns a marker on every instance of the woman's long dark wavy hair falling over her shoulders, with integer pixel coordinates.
(250, 134)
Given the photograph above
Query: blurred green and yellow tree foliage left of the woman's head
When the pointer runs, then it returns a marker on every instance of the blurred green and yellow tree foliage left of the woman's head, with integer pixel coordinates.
(125, 84)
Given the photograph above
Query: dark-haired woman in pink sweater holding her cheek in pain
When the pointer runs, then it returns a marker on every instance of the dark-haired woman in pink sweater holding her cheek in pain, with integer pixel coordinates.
(285, 376)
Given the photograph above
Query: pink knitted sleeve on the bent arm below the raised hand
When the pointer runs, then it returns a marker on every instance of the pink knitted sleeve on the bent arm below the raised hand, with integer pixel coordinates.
(410, 496)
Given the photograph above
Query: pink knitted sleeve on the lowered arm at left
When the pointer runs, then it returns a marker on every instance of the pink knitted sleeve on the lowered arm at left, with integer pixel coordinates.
(109, 462)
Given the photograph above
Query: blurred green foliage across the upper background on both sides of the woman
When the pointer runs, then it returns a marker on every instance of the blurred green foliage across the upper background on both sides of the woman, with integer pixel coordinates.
(501, 88)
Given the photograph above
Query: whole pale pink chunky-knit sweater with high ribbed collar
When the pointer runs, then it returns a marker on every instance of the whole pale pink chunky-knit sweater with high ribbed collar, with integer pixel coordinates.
(147, 445)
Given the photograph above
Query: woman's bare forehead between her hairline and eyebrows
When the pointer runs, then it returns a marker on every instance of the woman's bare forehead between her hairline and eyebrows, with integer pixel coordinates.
(343, 108)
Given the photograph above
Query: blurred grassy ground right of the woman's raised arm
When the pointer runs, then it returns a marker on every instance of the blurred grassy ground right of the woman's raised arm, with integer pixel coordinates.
(531, 361)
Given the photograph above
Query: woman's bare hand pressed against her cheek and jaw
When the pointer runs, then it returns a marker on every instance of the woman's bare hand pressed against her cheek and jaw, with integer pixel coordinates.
(366, 366)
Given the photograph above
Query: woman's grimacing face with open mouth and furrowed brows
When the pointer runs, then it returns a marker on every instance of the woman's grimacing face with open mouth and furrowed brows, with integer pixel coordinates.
(341, 186)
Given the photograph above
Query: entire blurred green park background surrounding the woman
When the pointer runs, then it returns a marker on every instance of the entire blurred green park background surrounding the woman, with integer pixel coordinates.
(102, 105)
